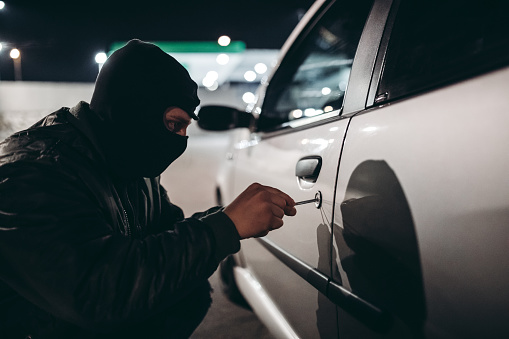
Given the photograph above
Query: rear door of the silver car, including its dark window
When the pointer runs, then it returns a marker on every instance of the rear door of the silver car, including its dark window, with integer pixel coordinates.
(422, 204)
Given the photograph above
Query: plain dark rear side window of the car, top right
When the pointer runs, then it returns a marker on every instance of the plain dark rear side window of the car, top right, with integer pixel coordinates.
(435, 42)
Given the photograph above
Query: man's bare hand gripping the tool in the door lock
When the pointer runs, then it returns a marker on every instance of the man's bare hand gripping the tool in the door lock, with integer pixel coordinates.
(259, 210)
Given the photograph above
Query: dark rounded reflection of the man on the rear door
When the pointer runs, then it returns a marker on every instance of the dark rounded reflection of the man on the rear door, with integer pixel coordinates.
(382, 263)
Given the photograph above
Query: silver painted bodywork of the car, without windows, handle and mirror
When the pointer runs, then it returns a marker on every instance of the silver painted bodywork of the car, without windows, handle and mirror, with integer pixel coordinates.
(411, 238)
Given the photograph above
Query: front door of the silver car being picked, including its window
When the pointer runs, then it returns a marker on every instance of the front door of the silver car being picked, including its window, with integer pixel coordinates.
(296, 147)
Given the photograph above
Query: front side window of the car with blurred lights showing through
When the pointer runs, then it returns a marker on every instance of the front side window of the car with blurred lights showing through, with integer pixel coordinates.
(313, 77)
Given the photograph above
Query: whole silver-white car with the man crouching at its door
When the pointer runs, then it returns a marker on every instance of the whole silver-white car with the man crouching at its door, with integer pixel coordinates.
(395, 116)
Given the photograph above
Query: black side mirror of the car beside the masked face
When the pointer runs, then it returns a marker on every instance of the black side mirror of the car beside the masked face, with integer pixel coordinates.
(222, 118)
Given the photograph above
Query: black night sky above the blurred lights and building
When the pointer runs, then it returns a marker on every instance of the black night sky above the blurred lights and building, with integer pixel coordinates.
(59, 39)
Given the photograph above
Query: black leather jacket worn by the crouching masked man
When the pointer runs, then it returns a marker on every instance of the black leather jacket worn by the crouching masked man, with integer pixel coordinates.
(83, 256)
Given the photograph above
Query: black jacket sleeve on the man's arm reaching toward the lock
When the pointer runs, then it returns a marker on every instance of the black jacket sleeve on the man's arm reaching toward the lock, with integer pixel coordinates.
(59, 252)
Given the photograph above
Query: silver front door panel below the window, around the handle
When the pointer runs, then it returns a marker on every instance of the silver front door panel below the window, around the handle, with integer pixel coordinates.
(271, 161)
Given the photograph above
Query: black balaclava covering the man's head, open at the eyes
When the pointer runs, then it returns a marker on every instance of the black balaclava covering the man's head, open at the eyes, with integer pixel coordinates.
(134, 88)
